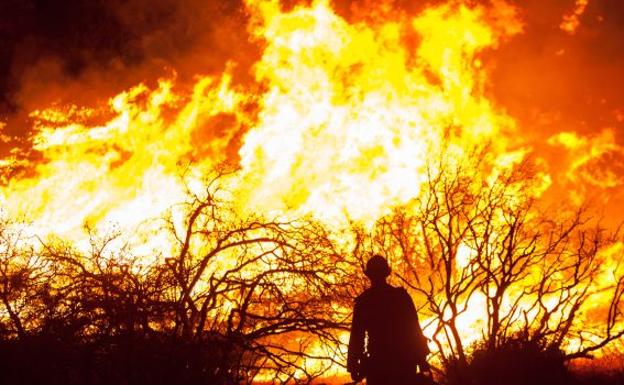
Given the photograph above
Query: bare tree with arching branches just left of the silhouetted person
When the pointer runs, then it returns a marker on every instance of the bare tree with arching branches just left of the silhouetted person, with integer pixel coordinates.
(267, 287)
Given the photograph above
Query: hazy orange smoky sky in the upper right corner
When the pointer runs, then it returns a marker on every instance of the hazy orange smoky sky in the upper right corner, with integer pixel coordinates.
(548, 77)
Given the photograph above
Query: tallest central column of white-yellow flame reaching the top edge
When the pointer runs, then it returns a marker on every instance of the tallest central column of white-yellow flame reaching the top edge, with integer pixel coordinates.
(351, 115)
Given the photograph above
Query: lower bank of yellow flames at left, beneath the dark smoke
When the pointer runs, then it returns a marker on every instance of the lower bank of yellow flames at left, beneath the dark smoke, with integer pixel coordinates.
(124, 172)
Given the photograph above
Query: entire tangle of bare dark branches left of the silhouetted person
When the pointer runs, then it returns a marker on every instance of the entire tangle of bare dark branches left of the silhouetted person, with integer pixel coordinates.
(263, 298)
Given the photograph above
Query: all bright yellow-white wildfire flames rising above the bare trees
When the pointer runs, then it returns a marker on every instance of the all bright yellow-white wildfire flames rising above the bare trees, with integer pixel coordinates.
(342, 121)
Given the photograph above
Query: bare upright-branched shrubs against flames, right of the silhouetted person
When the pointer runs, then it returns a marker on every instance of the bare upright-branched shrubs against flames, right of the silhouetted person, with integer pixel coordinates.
(477, 247)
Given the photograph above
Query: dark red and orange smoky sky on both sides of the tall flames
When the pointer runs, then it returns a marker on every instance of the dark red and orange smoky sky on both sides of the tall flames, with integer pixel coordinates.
(80, 50)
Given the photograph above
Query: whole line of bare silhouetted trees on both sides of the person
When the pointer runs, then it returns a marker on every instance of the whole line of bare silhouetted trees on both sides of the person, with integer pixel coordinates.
(240, 297)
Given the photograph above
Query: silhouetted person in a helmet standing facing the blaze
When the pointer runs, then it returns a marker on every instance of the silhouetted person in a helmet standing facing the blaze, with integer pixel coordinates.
(385, 317)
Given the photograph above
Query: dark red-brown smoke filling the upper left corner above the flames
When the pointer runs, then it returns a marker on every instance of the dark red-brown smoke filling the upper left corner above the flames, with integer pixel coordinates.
(84, 51)
